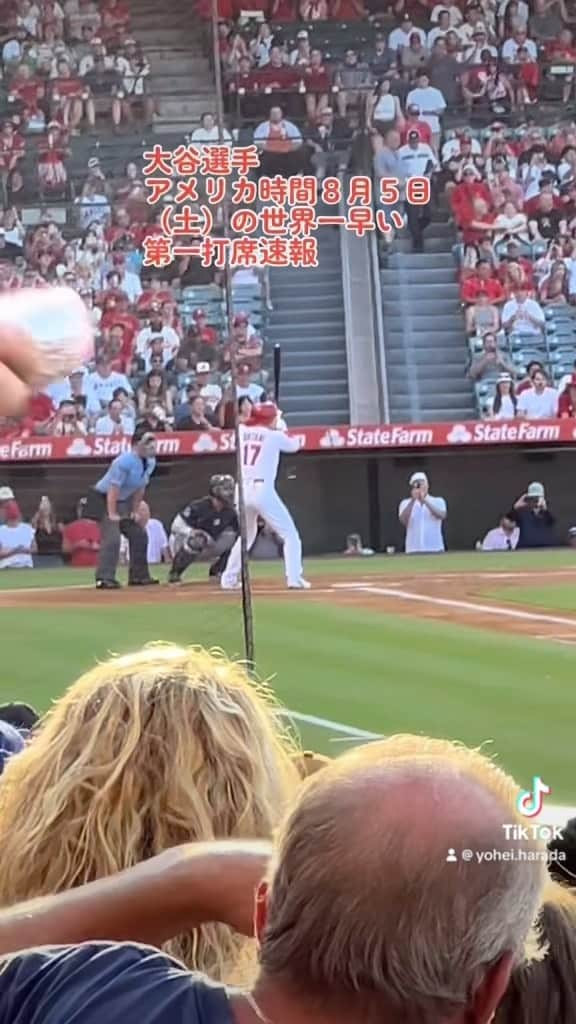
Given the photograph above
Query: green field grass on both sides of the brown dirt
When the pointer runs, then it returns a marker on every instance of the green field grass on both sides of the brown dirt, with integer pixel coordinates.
(349, 666)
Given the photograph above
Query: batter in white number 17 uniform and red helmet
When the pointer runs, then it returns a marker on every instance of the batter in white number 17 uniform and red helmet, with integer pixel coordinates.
(262, 444)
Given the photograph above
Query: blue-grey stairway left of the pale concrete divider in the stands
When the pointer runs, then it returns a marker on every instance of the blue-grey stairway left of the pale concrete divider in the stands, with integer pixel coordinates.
(309, 323)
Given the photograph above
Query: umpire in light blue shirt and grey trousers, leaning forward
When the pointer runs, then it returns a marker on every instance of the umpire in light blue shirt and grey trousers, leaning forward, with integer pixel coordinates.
(114, 500)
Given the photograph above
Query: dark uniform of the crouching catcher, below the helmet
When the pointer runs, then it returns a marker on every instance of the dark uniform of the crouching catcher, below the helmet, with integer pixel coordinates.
(220, 522)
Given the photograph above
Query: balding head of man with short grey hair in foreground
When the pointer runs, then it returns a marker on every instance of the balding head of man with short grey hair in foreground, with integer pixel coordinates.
(364, 905)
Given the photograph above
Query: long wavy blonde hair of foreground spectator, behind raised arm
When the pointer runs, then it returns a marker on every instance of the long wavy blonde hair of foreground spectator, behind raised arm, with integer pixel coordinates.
(166, 746)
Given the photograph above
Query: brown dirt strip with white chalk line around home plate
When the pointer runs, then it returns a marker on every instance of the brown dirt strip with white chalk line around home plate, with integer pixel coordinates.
(451, 598)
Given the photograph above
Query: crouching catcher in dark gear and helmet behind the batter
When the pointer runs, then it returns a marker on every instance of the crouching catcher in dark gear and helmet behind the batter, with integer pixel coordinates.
(209, 526)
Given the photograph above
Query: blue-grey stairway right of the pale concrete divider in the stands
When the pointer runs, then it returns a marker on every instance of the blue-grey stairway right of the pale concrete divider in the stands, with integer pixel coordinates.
(426, 342)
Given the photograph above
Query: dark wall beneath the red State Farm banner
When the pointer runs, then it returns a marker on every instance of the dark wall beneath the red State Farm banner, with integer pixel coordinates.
(335, 494)
